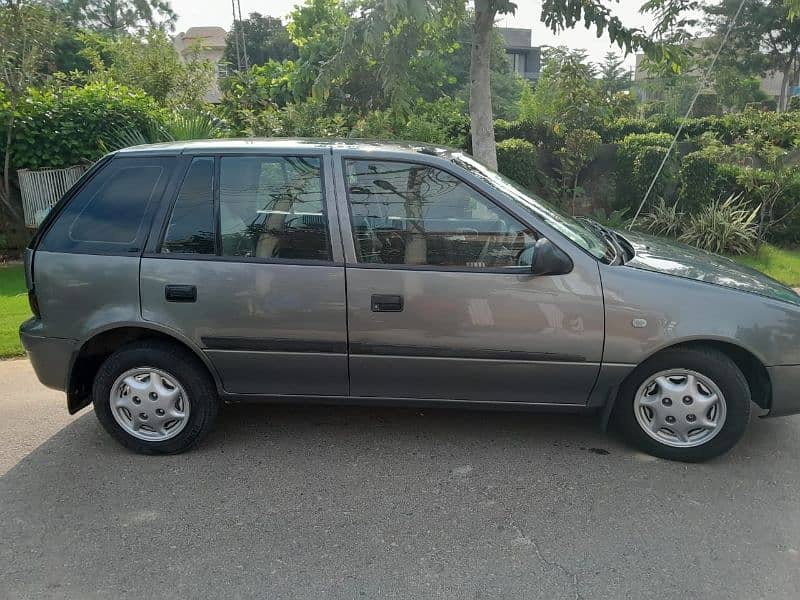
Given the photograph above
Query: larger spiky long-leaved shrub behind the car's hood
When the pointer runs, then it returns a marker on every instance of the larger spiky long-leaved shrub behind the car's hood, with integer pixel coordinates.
(723, 226)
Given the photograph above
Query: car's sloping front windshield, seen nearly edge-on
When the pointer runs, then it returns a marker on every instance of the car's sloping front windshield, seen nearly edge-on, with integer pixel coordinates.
(572, 228)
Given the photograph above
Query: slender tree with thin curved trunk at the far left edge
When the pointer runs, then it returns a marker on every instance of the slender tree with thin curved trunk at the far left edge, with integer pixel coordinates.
(27, 31)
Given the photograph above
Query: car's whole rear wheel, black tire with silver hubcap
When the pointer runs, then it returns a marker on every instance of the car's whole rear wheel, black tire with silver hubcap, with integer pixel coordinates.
(155, 398)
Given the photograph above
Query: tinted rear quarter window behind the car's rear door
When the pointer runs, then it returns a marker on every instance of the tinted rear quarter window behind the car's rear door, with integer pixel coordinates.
(111, 213)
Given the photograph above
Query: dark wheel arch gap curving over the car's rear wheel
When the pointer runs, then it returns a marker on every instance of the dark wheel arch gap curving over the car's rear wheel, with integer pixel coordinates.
(102, 343)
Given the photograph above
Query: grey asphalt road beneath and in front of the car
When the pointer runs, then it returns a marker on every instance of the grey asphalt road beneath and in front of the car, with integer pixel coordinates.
(315, 502)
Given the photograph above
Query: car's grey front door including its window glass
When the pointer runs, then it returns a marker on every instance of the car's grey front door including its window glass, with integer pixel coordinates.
(441, 300)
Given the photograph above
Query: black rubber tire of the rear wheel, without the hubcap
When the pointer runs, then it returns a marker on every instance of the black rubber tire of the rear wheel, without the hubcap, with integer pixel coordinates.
(178, 363)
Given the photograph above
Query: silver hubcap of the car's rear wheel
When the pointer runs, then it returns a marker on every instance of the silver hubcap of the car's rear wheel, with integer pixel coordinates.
(149, 404)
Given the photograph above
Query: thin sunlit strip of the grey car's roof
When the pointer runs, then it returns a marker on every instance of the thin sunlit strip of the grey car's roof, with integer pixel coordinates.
(247, 145)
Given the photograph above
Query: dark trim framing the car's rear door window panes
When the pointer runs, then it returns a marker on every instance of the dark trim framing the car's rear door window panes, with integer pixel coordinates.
(155, 252)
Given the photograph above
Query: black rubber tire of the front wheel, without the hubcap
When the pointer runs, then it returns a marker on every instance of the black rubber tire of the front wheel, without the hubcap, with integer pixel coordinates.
(709, 362)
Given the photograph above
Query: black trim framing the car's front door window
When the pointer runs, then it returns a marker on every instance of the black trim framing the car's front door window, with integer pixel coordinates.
(516, 271)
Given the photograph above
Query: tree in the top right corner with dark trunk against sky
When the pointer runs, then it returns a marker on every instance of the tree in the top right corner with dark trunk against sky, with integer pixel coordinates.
(765, 39)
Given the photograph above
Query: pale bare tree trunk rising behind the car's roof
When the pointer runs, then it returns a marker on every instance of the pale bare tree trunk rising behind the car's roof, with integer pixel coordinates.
(480, 97)
